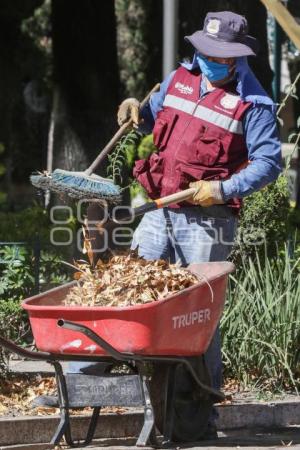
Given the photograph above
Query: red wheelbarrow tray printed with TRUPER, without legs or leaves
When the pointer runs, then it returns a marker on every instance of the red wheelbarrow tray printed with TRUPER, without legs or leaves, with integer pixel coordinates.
(181, 324)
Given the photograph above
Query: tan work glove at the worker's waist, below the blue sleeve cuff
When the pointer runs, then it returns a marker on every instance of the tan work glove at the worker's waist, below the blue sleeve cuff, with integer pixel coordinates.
(208, 193)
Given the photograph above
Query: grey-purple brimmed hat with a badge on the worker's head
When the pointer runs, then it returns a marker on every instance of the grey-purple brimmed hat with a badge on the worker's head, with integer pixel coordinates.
(224, 35)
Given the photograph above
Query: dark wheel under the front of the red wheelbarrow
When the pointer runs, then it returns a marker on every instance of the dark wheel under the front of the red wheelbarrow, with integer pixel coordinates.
(192, 405)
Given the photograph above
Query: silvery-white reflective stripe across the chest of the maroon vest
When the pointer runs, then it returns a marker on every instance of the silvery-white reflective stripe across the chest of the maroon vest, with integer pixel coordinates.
(201, 112)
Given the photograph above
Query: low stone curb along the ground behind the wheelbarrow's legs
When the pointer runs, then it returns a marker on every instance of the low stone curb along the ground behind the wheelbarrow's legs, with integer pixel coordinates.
(39, 429)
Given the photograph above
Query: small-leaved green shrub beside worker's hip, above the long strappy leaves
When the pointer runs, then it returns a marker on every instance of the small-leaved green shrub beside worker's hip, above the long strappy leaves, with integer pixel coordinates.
(264, 220)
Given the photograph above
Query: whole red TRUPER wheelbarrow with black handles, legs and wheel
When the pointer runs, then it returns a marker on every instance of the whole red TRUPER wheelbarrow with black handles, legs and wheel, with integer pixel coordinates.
(172, 334)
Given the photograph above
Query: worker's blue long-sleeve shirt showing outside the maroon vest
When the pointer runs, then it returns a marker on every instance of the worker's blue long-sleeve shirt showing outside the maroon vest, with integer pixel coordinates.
(261, 137)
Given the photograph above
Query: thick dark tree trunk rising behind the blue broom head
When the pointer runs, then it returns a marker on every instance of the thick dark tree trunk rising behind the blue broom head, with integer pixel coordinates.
(86, 73)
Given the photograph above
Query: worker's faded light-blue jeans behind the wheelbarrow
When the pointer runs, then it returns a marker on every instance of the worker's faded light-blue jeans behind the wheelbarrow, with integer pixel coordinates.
(188, 235)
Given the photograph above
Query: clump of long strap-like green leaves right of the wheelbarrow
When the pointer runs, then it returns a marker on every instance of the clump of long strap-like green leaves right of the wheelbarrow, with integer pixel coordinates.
(261, 323)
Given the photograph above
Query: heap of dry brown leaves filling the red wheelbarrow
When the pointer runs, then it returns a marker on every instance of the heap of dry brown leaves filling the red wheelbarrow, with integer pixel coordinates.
(127, 280)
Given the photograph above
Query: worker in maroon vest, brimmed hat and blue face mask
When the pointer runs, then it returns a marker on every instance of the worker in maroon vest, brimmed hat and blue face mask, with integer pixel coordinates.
(215, 130)
